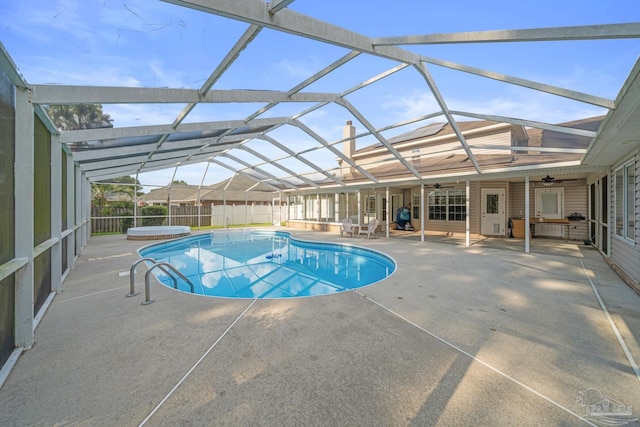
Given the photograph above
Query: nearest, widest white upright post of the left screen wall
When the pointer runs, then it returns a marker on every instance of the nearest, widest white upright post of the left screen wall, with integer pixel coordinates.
(24, 218)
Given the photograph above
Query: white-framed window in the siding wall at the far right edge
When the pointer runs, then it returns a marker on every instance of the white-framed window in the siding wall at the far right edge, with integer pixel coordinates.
(625, 198)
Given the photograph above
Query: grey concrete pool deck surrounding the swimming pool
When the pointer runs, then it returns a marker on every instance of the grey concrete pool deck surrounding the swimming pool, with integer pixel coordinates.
(482, 335)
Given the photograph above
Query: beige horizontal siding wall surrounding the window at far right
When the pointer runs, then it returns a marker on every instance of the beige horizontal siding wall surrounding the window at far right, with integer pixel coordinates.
(624, 253)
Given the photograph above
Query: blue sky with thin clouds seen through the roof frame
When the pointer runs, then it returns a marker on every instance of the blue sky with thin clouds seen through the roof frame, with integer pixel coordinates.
(155, 44)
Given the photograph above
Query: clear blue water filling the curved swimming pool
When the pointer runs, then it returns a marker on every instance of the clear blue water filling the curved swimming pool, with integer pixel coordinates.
(267, 264)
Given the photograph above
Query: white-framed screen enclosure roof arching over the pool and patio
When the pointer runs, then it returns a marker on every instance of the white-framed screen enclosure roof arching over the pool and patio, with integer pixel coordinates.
(268, 87)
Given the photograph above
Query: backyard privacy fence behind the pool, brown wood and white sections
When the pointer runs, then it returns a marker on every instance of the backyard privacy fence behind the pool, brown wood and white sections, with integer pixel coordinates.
(118, 220)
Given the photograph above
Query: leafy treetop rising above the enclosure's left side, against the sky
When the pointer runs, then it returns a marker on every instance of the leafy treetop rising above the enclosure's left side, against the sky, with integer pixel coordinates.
(79, 116)
